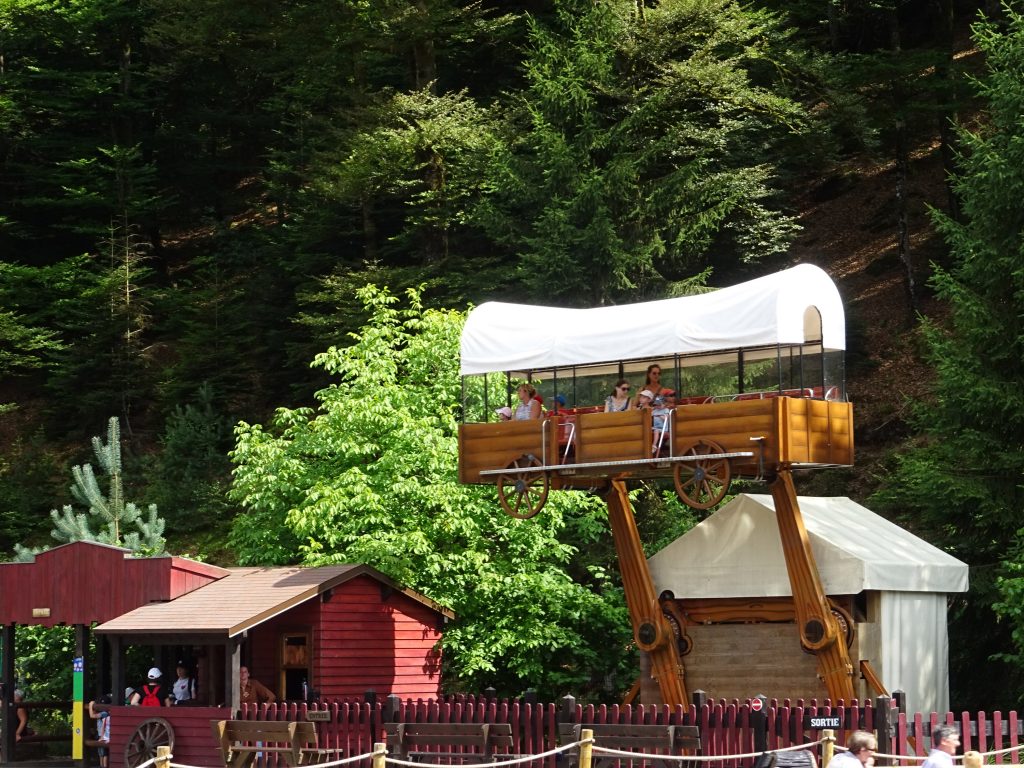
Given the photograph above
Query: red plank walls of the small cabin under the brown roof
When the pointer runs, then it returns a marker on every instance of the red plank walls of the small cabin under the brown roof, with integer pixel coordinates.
(361, 641)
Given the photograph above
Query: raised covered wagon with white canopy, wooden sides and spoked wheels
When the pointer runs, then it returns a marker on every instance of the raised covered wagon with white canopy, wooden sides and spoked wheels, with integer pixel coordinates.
(769, 355)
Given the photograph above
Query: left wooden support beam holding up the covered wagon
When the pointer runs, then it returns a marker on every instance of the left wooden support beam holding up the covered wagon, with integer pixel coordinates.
(651, 629)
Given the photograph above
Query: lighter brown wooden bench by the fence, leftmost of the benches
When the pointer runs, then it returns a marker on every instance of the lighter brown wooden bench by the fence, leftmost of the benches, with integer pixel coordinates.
(295, 743)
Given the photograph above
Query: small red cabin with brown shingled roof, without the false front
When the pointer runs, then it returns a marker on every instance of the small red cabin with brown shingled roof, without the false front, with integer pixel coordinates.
(335, 631)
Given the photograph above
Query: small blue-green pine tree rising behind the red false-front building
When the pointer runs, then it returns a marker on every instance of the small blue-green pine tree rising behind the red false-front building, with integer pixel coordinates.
(110, 518)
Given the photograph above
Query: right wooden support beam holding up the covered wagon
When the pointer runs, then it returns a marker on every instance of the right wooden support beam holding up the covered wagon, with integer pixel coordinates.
(820, 631)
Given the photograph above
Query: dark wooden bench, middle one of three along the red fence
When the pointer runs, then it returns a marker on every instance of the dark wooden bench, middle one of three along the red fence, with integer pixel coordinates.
(438, 742)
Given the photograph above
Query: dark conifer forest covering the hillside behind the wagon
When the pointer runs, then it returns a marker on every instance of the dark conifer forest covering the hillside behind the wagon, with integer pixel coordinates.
(195, 195)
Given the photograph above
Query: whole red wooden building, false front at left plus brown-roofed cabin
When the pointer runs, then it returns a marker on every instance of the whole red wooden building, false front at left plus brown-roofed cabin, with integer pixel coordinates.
(306, 633)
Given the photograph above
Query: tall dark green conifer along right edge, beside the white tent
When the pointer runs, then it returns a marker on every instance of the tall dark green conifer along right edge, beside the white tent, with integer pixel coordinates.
(959, 484)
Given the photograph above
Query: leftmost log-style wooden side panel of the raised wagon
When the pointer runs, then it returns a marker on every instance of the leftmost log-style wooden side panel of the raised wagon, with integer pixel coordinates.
(496, 446)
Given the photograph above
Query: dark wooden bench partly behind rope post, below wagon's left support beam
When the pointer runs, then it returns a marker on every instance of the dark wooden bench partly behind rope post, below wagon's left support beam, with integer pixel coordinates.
(648, 741)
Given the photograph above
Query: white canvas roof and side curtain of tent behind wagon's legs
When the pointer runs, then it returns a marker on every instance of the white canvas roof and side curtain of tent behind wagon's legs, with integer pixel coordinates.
(738, 552)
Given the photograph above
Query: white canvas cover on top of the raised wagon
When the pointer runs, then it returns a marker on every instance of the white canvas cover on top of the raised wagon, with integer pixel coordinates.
(794, 307)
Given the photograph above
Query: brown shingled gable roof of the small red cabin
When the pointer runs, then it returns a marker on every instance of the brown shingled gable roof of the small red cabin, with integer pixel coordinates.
(244, 600)
